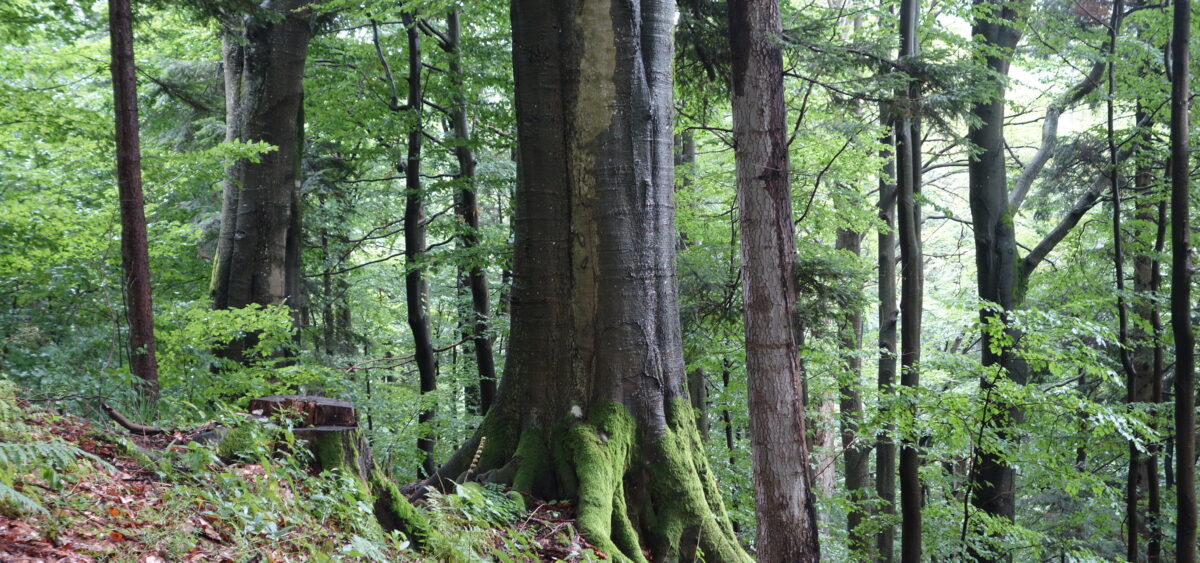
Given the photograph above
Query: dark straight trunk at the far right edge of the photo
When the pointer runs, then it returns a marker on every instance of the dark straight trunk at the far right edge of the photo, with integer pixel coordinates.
(1181, 292)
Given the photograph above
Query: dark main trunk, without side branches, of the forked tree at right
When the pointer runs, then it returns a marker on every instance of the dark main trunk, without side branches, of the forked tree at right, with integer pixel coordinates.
(999, 274)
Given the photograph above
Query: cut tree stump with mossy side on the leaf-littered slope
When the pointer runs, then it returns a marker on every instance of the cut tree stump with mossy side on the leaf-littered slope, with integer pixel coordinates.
(331, 429)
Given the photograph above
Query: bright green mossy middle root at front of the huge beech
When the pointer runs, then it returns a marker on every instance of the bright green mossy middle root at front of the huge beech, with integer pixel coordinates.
(602, 450)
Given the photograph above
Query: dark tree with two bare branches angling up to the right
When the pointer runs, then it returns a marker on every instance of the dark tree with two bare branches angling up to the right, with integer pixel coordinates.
(1003, 275)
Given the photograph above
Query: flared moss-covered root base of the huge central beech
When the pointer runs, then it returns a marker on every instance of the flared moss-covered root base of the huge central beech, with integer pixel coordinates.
(635, 492)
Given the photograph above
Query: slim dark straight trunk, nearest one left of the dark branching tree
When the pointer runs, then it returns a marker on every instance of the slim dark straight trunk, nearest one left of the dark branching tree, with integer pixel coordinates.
(911, 279)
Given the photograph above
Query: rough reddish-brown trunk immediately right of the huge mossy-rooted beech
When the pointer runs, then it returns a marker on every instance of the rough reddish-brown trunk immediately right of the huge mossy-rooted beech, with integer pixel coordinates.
(784, 504)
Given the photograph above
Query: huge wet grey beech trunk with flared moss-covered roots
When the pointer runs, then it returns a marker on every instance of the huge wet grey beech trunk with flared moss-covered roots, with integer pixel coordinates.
(593, 404)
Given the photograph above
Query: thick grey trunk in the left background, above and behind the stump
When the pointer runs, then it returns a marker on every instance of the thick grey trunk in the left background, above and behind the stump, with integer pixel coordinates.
(259, 249)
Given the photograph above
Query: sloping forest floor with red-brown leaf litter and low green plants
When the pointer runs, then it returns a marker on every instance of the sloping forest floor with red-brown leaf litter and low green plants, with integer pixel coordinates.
(116, 504)
